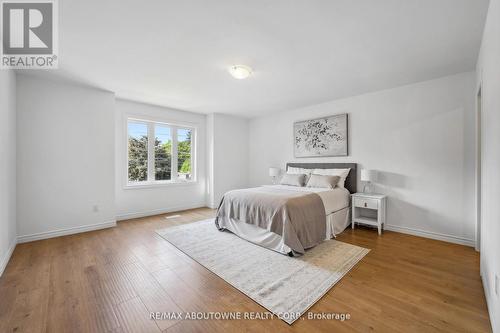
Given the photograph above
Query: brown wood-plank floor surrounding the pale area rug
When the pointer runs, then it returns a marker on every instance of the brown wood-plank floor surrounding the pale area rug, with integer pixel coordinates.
(110, 280)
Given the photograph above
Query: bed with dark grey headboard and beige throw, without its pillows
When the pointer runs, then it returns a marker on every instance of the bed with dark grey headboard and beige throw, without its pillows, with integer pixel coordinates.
(289, 219)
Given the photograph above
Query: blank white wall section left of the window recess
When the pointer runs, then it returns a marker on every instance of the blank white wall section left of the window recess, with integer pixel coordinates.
(65, 158)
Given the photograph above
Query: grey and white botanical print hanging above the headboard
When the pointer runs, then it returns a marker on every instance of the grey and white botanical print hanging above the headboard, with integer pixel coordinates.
(321, 137)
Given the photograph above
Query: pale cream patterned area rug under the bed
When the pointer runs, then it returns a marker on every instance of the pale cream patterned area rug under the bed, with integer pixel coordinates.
(285, 286)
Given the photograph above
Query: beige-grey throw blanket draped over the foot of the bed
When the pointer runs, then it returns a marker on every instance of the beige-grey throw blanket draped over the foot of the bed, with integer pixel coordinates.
(296, 216)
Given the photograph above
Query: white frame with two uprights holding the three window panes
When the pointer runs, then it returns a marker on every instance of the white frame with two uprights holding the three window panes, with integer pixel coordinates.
(174, 126)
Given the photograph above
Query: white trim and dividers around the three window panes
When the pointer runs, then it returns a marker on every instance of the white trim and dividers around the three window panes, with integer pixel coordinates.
(151, 125)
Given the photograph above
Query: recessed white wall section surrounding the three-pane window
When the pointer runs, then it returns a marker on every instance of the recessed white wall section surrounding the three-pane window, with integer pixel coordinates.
(137, 202)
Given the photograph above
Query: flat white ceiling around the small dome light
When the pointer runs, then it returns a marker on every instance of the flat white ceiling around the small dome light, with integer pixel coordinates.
(176, 53)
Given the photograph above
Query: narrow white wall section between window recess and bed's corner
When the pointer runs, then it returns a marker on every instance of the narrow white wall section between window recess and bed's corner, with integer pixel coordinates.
(228, 160)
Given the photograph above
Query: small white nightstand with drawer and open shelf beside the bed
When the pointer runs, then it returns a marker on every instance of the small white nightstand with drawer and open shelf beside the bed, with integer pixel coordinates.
(369, 208)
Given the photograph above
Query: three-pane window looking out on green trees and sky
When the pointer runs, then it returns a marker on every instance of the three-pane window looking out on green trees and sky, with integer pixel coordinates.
(159, 153)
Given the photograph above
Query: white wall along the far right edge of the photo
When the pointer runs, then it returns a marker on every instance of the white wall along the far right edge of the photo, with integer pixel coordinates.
(488, 70)
